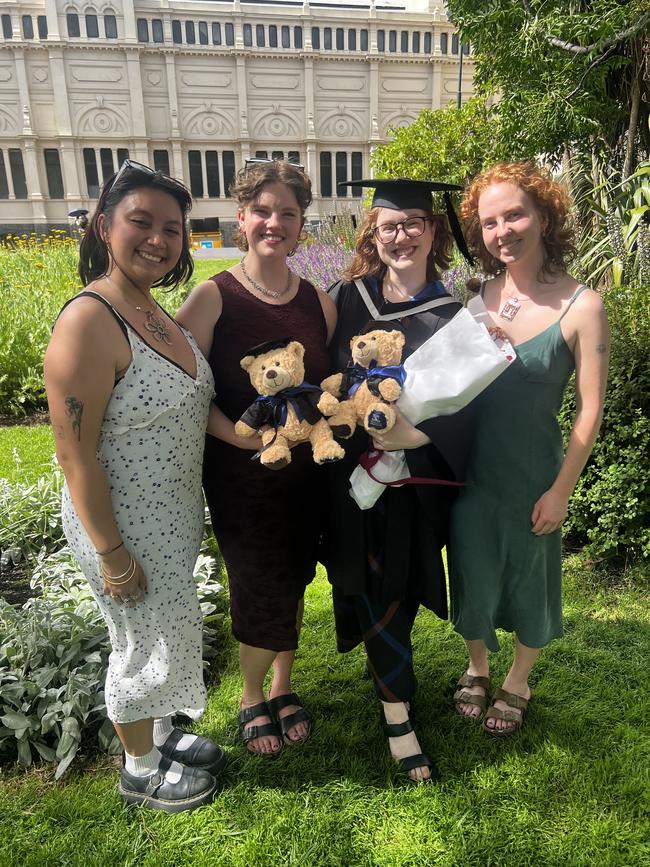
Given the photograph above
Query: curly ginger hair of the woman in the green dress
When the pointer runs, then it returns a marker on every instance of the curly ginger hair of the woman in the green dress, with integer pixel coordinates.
(549, 197)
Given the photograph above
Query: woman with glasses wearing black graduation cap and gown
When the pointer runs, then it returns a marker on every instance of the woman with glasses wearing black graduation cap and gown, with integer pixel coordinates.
(385, 562)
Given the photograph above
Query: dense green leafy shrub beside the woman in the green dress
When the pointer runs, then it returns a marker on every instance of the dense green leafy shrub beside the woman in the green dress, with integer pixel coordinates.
(610, 509)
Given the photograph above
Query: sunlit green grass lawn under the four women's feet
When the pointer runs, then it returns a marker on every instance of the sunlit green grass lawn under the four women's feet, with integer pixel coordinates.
(570, 789)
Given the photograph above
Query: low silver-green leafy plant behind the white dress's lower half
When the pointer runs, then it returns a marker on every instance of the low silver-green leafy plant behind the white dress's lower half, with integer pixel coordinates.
(53, 659)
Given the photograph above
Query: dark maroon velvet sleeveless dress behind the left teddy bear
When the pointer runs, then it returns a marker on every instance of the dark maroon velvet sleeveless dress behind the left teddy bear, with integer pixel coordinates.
(267, 522)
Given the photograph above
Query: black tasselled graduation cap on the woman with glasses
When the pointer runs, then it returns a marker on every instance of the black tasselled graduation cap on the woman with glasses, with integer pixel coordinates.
(400, 193)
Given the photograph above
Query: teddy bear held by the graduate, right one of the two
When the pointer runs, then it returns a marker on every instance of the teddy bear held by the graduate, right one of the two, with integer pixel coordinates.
(371, 382)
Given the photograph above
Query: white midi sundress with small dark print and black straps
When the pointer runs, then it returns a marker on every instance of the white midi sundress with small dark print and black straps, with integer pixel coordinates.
(151, 447)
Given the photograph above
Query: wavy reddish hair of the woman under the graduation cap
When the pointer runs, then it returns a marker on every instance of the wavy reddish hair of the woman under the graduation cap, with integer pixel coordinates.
(366, 261)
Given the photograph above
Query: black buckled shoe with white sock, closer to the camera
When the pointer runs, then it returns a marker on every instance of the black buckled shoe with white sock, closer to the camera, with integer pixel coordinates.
(195, 788)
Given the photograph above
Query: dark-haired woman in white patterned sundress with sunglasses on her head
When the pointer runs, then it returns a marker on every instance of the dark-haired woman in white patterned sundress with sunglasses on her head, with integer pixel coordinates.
(129, 393)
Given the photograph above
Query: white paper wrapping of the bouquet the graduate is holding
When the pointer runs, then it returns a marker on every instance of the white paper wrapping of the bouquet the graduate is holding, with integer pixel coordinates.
(442, 376)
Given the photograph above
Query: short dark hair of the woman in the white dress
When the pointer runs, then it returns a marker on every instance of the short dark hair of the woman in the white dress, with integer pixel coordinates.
(94, 255)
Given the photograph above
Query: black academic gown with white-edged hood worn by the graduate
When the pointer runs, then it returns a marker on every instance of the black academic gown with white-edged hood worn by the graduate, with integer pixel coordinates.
(406, 529)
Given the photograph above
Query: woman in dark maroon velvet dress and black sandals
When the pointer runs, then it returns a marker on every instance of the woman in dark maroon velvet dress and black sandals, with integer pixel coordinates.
(267, 523)
